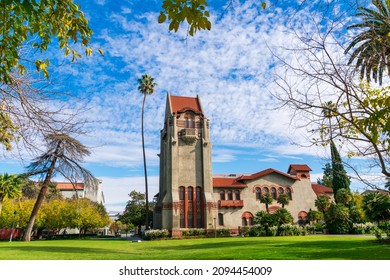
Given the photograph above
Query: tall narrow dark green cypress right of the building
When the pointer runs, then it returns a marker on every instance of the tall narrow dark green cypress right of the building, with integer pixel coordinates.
(340, 178)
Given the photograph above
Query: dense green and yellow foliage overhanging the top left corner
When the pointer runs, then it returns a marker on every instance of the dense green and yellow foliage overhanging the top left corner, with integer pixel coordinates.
(37, 23)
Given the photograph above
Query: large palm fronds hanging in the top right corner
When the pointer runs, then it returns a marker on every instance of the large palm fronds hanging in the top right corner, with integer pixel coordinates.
(373, 43)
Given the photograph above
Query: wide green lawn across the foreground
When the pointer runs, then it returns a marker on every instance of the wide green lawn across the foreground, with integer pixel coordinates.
(234, 248)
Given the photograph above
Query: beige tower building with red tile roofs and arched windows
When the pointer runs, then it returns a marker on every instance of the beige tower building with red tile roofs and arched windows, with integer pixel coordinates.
(191, 197)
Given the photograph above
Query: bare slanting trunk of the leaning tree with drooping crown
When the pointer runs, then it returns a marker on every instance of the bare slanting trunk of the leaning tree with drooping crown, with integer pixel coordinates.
(40, 199)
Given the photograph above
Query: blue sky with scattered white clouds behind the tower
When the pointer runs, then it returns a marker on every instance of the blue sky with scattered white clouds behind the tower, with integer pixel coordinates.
(231, 68)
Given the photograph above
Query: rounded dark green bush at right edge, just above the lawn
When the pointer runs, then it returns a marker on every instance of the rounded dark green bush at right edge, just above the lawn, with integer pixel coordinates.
(377, 206)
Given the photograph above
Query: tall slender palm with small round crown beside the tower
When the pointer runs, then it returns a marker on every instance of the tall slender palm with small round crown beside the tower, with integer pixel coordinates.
(146, 87)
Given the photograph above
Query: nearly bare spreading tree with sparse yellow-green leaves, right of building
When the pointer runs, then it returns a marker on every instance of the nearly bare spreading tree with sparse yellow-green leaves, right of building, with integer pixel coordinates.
(357, 113)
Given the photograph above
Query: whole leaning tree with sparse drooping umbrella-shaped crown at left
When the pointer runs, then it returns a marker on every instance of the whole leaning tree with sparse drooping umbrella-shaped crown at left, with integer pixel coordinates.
(63, 156)
